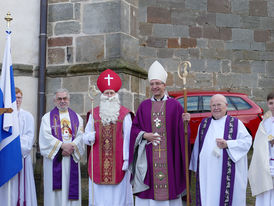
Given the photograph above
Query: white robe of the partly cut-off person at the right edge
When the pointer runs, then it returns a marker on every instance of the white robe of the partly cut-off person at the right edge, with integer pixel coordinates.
(261, 181)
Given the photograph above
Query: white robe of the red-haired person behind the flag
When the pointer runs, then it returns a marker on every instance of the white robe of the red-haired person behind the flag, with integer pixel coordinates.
(26, 187)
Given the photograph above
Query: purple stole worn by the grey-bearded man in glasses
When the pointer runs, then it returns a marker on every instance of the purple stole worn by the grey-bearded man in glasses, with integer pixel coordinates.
(57, 161)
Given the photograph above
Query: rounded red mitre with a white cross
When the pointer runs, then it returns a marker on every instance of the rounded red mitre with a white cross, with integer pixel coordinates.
(108, 79)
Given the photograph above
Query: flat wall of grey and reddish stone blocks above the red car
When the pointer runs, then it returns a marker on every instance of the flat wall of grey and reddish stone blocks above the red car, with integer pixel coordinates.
(229, 43)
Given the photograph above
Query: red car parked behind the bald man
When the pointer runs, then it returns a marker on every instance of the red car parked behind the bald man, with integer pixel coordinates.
(239, 105)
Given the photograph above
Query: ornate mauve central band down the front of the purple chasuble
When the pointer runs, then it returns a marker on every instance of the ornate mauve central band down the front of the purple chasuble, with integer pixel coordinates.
(159, 152)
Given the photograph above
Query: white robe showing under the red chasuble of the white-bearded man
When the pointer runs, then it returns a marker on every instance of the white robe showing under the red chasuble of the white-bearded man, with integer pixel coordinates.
(116, 195)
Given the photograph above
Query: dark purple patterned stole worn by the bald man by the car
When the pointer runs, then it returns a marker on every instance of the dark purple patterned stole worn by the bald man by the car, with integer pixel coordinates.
(228, 168)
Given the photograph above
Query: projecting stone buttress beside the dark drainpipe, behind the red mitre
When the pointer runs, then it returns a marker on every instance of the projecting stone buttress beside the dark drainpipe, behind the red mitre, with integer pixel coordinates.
(86, 37)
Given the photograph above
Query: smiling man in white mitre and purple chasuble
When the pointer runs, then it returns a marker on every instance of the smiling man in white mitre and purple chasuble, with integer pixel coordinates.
(157, 156)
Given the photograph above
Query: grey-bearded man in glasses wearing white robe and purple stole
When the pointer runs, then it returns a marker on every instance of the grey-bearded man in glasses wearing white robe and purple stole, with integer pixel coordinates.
(61, 145)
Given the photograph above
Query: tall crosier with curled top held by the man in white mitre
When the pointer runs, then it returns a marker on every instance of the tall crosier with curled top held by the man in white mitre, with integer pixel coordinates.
(185, 64)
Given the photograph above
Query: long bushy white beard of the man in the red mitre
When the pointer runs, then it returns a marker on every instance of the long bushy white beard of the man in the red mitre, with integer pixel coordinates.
(109, 109)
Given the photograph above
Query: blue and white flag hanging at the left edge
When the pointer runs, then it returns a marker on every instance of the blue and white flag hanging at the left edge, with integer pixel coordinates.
(10, 148)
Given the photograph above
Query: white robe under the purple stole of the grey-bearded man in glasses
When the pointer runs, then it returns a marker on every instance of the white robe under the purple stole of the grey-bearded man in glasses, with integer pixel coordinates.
(49, 146)
